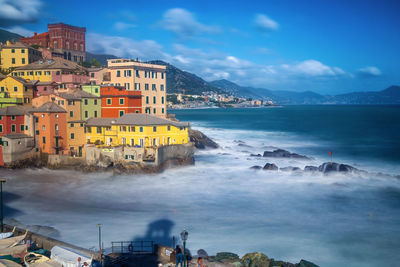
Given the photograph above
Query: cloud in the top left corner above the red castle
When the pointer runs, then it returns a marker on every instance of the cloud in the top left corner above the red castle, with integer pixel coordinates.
(14, 12)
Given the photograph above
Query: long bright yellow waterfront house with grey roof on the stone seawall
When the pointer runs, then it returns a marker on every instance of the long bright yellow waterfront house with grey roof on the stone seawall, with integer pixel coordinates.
(134, 129)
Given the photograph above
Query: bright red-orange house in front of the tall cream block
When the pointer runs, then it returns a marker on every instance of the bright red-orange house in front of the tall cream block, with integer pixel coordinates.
(117, 101)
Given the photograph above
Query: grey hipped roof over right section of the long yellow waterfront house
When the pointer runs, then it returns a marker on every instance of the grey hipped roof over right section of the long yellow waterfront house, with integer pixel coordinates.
(146, 119)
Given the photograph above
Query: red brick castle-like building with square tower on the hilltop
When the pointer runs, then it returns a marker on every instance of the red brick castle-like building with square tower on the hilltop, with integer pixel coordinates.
(62, 39)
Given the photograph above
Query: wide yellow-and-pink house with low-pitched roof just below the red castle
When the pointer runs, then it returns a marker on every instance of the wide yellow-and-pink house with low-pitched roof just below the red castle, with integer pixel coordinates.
(65, 73)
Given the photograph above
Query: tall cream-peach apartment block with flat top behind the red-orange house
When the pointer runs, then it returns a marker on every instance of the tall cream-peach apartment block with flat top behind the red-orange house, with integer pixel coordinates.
(149, 79)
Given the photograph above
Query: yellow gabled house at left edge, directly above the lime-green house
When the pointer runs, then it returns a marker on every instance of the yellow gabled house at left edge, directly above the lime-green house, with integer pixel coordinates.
(17, 88)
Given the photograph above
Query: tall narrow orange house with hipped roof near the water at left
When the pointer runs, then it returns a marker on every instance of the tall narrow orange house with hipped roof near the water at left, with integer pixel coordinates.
(51, 128)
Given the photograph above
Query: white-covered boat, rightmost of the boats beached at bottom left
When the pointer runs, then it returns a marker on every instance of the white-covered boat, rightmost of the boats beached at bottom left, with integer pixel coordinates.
(68, 257)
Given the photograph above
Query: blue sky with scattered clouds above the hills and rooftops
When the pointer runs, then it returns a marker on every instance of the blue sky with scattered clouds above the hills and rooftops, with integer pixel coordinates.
(329, 47)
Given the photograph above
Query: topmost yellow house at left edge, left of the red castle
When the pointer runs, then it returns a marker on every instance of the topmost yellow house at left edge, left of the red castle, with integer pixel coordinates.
(17, 54)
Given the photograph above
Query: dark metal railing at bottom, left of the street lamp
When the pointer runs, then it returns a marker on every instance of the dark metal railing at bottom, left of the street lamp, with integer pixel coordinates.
(132, 247)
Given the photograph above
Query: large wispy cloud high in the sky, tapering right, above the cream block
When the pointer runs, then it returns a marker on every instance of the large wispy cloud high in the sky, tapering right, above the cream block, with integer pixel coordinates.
(184, 24)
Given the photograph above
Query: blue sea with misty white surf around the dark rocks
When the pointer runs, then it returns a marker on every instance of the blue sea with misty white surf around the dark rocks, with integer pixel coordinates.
(331, 220)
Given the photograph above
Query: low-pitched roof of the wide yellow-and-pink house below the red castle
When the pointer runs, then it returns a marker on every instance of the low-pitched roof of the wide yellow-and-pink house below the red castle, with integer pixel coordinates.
(55, 63)
